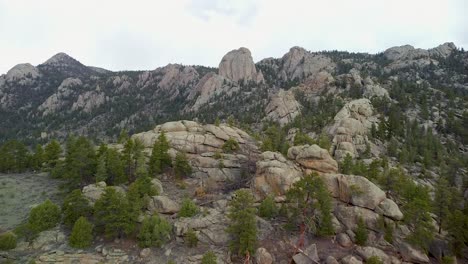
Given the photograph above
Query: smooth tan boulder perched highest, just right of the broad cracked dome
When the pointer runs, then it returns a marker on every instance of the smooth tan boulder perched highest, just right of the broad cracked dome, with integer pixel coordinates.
(313, 158)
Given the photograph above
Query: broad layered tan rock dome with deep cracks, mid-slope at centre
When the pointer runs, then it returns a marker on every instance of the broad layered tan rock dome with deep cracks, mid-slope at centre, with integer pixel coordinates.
(203, 145)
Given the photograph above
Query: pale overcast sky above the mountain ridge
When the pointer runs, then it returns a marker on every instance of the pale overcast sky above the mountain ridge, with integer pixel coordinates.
(144, 35)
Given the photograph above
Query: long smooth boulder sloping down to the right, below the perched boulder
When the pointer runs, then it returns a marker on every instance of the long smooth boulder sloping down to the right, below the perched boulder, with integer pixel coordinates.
(356, 190)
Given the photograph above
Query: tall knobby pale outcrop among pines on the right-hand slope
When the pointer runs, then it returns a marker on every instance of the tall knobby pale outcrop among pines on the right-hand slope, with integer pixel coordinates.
(350, 128)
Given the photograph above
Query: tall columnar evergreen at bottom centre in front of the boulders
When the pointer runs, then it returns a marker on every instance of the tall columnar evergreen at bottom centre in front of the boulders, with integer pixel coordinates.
(242, 226)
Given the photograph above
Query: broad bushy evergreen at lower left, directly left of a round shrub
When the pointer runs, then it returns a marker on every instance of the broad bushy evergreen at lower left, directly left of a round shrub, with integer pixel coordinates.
(113, 214)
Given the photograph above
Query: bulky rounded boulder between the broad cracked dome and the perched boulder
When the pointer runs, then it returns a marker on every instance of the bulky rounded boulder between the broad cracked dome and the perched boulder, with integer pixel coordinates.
(275, 175)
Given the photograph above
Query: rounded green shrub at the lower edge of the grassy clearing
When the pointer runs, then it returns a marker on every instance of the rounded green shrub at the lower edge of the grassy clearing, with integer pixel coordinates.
(44, 216)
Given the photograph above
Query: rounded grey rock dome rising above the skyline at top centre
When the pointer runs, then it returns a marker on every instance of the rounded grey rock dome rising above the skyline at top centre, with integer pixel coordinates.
(238, 66)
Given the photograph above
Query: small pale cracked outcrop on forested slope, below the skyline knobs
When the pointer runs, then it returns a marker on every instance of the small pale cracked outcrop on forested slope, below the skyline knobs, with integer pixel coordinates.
(283, 107)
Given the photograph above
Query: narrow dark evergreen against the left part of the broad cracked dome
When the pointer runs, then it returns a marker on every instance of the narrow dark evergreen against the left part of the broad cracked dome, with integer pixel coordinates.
(160, 159)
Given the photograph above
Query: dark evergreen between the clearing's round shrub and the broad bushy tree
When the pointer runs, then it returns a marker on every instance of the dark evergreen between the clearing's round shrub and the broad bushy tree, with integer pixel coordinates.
(74, 206)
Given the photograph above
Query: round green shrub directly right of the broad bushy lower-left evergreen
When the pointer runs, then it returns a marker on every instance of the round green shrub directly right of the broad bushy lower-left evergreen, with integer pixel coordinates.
(155, 232)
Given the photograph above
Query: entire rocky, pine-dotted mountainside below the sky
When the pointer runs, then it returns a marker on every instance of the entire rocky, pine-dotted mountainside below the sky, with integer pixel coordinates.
(312, 157)
